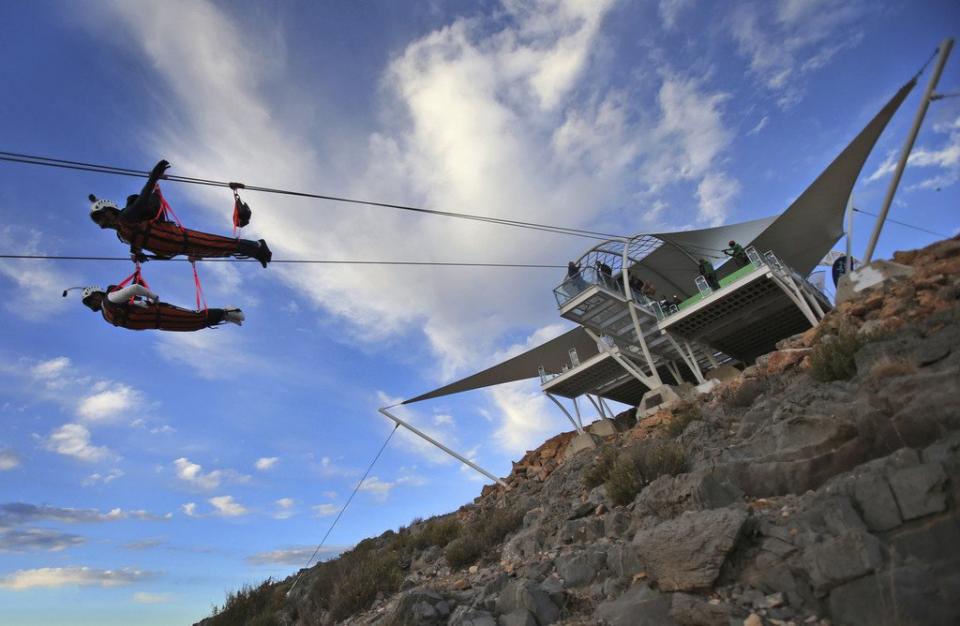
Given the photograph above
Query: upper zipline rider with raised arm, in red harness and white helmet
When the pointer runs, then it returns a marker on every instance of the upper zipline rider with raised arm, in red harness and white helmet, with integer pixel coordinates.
(145, 224)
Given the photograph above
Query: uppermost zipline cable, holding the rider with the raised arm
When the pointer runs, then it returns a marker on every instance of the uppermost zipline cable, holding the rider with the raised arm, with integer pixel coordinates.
(28, 159)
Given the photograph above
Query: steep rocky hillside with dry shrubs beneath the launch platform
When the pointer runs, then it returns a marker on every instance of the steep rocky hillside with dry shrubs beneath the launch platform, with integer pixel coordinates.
(818, 486)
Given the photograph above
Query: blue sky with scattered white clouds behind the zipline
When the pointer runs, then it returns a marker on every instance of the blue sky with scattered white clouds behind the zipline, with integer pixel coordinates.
(143, 475)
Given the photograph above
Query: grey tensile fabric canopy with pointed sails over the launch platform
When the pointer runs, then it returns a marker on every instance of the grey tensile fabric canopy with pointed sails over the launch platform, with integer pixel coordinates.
(800, 237)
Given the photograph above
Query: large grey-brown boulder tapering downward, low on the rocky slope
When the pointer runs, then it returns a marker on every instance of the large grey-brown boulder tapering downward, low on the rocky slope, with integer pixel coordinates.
(687, 553)
